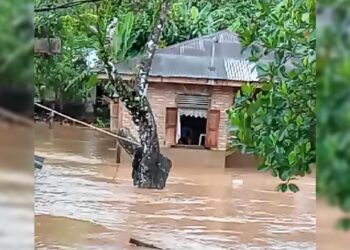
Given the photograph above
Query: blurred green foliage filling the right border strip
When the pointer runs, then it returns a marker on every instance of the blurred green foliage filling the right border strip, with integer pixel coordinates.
(333, 90)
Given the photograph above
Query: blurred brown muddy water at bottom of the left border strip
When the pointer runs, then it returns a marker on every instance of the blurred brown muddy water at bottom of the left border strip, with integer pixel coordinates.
(16, 185)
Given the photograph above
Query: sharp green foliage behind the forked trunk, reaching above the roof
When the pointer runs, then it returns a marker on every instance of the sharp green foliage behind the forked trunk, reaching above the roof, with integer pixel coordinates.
(77, 28)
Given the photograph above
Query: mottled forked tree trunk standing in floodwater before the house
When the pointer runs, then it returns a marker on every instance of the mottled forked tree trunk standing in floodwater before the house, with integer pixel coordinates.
(150, 167)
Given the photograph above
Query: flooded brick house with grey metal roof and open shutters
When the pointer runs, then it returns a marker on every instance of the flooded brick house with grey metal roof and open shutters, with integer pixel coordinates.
(191, 85)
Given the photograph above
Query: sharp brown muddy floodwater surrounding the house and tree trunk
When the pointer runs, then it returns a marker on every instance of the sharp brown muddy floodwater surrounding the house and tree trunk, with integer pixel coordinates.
(84, 201)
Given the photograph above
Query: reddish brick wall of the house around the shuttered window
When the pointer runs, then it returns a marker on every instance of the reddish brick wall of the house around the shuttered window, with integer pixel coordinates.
(163, 95)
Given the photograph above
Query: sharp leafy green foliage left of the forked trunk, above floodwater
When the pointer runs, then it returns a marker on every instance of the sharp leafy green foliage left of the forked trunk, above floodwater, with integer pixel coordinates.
(64, 76)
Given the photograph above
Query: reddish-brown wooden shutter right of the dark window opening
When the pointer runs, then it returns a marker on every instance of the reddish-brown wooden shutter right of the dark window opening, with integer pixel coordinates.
(213, 123)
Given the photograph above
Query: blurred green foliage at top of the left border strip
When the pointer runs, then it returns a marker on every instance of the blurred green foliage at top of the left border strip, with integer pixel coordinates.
(16, 45)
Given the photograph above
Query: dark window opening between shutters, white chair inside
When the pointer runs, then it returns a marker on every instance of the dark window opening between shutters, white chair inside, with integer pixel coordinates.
(191, 130)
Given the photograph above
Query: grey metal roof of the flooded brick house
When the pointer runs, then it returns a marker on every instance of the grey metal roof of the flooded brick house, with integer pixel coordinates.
(193, 59)
